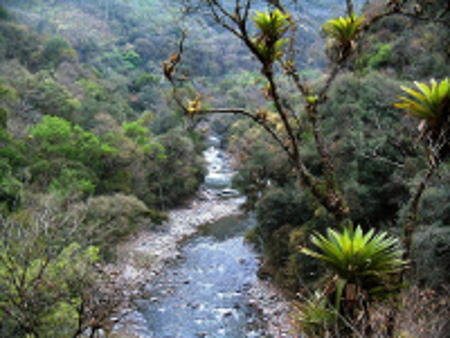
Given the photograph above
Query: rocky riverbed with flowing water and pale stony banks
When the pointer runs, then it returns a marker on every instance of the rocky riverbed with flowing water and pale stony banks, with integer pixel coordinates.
(200, 275)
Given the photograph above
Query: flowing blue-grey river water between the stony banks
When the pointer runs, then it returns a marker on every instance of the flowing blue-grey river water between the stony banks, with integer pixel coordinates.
(203, 294)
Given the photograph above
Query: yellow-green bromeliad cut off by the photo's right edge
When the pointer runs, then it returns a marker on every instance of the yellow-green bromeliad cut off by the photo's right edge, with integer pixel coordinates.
(431, 105)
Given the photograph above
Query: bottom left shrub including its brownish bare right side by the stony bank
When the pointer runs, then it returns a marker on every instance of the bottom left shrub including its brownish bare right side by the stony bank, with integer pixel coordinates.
(51, 285)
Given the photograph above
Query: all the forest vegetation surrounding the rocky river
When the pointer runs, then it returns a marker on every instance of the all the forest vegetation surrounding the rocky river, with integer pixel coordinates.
(336, 114)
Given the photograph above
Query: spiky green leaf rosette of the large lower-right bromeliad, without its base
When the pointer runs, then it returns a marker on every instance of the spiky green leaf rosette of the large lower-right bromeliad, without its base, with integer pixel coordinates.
(361, 259)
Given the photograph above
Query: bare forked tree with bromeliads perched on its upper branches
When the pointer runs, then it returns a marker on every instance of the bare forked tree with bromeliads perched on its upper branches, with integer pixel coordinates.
(319, 177)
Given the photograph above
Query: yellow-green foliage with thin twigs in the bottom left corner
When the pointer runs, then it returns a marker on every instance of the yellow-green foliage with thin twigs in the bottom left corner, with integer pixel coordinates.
(41, 280)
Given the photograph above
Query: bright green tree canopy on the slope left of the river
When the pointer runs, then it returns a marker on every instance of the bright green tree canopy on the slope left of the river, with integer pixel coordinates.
(68, 159)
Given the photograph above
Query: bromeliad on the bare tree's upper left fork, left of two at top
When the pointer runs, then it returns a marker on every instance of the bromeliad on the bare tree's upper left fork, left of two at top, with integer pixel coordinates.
(271, 28)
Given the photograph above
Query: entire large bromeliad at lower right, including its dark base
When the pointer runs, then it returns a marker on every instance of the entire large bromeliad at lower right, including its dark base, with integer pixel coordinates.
(361, 263)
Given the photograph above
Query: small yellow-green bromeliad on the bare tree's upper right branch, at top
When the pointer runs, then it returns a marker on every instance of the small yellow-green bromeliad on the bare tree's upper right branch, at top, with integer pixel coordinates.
(344, 30)
